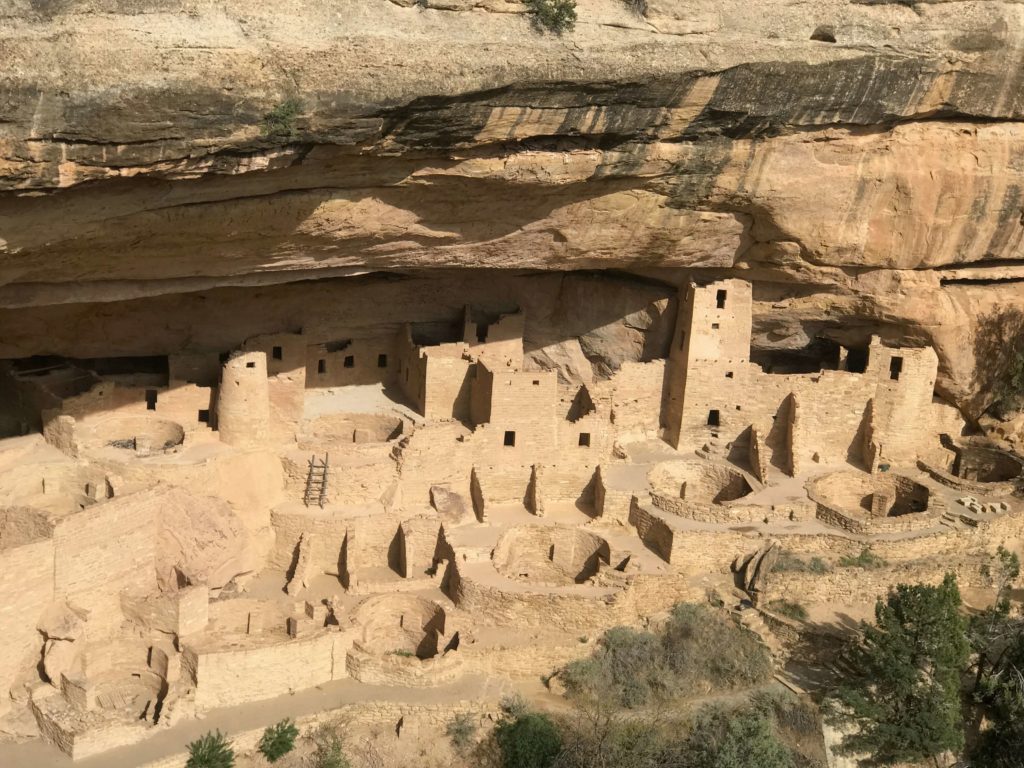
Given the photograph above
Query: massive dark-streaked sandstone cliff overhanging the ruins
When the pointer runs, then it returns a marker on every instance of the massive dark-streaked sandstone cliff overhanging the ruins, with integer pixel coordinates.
(871, 185)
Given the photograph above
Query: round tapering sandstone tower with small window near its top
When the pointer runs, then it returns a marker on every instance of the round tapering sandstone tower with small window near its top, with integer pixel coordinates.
(244, 401)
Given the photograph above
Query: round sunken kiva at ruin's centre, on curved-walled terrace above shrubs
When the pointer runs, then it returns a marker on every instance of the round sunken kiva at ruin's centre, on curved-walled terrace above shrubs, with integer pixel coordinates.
(550, 554)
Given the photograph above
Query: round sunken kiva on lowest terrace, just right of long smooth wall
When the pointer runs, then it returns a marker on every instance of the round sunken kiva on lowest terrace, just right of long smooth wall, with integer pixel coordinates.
(401, 625)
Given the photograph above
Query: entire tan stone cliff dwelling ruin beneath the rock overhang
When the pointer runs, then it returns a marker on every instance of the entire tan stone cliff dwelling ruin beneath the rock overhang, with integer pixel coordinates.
(422, 503)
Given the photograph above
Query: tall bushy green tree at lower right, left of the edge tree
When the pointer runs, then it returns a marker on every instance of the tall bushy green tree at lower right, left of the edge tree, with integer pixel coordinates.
(904, 696)
